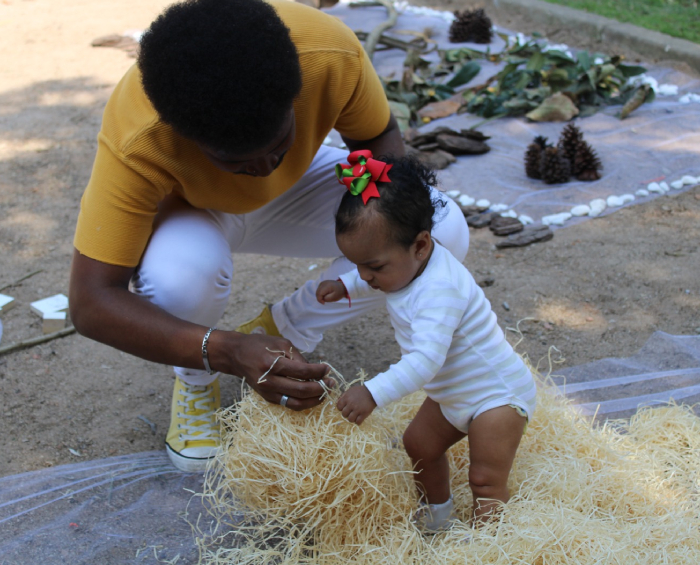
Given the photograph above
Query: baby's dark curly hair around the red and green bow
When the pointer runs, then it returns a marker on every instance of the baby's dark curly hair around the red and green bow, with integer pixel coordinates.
(406, 203)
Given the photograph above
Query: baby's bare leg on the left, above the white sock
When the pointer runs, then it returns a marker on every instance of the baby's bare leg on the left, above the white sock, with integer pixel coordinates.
(426, 440)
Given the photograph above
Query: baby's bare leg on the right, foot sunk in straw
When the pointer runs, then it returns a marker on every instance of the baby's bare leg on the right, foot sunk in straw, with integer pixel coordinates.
(494, 437)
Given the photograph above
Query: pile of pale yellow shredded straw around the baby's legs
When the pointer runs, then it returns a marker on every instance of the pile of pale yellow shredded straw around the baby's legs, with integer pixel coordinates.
(310, 488)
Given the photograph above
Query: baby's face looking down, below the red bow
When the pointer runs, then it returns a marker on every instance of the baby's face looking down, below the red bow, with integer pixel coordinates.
(382, 263)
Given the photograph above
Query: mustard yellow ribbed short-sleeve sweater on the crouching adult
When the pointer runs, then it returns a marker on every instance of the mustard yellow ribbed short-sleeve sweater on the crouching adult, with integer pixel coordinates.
(140, 160)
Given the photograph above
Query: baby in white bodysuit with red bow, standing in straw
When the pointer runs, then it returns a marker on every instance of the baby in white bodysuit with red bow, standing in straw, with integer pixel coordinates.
(451, 345)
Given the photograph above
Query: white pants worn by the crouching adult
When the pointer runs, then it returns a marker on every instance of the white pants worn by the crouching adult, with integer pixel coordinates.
(187, 266)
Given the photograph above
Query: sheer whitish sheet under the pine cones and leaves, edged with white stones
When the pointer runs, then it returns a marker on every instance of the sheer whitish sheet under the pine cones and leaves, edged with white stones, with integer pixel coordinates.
(658, 142)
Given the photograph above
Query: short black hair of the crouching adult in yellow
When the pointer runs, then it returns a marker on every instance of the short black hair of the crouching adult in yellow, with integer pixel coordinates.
(221, 72)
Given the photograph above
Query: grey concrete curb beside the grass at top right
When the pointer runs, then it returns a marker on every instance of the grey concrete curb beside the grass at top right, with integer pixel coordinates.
(649, 44)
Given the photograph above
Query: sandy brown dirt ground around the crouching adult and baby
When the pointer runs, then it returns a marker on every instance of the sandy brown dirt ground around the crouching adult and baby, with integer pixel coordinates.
(598, 289)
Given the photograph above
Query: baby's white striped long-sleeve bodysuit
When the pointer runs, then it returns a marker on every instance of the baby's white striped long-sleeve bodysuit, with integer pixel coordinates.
(451, 345)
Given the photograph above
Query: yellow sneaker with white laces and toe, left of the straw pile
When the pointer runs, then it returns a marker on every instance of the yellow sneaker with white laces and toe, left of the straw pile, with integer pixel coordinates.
(194, 435)
